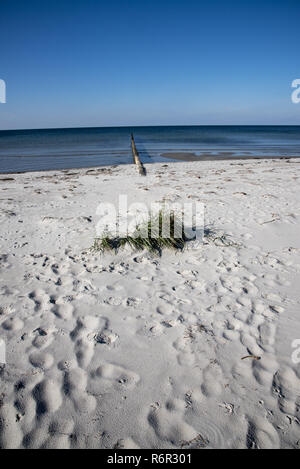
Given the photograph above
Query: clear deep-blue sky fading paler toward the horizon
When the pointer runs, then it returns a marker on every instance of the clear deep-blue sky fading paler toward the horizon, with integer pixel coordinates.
(96, 63)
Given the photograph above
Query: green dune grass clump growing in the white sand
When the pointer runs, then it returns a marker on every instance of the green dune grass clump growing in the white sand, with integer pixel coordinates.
(150, 235)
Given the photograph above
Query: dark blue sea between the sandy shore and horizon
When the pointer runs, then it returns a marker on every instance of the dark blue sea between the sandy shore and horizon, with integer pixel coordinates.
(46, 149)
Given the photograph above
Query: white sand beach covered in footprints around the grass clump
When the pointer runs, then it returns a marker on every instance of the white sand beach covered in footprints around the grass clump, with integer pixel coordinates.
(130, 350)
